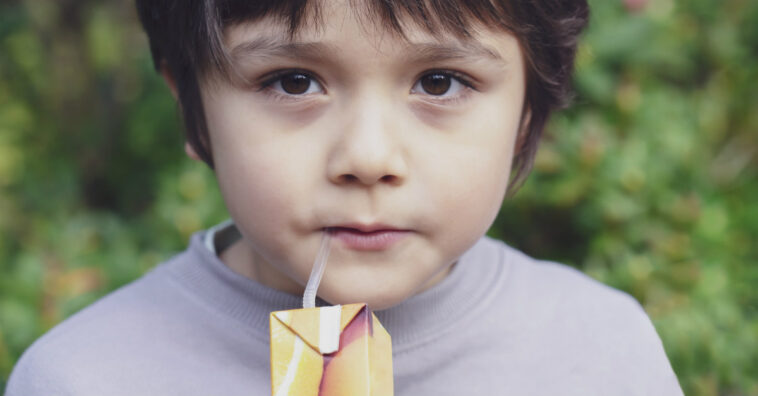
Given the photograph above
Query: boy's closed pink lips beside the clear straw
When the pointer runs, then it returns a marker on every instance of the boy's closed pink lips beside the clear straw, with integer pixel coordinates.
(367, 237)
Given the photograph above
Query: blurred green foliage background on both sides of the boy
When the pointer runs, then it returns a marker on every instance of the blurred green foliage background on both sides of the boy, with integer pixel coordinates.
(648, 183)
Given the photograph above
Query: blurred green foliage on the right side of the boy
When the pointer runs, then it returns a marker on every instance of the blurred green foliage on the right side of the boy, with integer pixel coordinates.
(648, 182)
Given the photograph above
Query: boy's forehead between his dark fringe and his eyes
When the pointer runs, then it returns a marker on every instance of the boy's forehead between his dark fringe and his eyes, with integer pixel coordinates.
(340, 27)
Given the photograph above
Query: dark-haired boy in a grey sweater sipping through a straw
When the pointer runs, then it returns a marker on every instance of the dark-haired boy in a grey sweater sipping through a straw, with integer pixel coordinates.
(394, 126)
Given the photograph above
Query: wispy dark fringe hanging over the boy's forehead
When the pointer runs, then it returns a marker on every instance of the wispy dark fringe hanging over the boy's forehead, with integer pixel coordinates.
(455, 17)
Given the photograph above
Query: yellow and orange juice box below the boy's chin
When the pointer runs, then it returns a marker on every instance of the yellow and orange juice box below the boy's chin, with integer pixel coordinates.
(339, 350)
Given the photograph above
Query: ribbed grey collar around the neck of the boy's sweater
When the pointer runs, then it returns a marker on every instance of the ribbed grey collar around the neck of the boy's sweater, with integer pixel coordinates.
(469, 287)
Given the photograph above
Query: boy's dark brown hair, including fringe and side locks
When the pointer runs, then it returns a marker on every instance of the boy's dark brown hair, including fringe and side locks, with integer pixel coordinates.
(186, 36)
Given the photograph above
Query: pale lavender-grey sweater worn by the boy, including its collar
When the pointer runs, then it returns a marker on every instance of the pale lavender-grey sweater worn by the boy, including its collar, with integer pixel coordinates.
(501, 323)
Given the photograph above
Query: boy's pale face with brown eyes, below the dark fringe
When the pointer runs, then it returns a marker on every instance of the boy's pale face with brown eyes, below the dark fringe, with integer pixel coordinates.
(350, 127)
